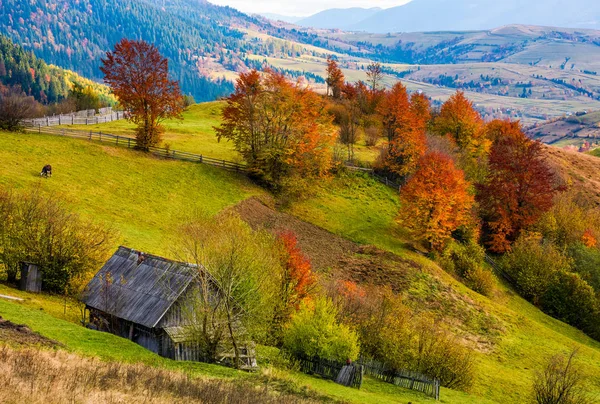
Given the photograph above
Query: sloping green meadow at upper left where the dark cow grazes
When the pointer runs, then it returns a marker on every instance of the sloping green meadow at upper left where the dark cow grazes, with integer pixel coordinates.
(145, 198)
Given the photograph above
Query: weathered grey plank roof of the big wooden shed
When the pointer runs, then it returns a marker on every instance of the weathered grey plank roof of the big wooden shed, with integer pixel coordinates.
(141, 293)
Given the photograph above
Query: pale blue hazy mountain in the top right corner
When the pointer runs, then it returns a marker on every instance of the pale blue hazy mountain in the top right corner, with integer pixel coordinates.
(444, 15)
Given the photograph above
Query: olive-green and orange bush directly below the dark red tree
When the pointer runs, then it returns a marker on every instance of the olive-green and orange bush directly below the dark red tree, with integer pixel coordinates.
(533, 265)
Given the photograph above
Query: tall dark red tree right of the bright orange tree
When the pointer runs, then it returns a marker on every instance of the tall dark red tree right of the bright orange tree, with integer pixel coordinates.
(518, 189)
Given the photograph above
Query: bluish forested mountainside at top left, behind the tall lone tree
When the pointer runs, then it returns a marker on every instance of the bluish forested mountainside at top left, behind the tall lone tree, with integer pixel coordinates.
(76, 34)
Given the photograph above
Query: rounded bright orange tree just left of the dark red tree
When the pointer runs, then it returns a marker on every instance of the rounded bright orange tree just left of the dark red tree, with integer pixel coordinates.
(436, 200)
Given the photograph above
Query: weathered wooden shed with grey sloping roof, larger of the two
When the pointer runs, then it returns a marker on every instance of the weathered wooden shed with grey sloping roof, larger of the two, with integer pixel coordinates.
(140, 297)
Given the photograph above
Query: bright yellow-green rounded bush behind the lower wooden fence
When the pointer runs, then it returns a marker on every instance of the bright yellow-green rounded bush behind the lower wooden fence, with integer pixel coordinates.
(315, 331)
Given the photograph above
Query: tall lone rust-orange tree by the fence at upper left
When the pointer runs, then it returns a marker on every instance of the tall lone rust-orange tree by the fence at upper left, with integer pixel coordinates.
(139, 77)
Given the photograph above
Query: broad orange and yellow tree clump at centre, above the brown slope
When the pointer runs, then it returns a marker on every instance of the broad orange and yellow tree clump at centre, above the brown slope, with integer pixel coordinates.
(281, 129)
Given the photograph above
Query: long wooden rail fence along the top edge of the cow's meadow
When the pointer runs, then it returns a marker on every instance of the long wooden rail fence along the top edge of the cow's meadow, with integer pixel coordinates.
(129, 142)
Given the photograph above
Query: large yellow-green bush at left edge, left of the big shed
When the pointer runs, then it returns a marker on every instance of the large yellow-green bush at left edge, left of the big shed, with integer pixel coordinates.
(38, 228)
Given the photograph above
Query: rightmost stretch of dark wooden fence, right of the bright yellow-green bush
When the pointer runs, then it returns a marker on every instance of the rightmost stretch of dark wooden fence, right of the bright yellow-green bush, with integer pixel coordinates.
(403, 378)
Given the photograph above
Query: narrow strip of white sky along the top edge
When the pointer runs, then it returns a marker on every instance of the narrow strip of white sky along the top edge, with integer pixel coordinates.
(301, 8)
